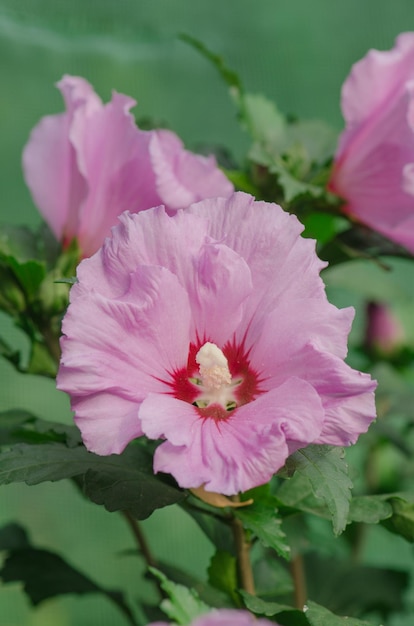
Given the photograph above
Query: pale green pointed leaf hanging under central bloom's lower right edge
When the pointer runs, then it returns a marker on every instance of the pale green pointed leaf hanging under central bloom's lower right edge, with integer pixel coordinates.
(327, 472)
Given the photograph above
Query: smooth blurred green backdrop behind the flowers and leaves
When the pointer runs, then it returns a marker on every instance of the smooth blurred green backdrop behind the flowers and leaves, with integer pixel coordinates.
(297, 52)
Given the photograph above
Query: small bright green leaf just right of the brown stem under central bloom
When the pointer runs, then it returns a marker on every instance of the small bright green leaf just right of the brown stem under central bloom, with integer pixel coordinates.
(263, 520)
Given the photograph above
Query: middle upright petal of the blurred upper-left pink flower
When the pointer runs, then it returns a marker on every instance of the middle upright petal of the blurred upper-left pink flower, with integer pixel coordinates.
(113, 156)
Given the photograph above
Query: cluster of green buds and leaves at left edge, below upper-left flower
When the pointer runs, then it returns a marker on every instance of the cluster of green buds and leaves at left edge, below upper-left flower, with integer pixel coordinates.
(30, 265)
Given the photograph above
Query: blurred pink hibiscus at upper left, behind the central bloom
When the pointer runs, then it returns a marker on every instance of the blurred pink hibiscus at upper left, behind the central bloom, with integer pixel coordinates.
(86, 166)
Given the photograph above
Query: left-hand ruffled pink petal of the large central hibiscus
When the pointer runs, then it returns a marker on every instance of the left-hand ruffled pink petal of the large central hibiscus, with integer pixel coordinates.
(124, 348)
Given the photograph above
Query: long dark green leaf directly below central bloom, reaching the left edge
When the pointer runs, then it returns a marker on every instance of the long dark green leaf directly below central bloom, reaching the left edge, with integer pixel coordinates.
(119, 482)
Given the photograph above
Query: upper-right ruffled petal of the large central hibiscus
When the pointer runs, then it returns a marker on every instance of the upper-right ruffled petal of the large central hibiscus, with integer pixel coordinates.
(282, 264)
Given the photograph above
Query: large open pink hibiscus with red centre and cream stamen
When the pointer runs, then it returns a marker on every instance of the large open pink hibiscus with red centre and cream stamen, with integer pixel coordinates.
(211, 329)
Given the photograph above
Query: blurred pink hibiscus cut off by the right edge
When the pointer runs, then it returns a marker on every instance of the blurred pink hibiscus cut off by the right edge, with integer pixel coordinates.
(374, 164)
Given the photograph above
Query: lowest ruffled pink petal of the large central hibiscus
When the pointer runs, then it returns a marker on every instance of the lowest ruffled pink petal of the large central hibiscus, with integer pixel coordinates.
(246, 449)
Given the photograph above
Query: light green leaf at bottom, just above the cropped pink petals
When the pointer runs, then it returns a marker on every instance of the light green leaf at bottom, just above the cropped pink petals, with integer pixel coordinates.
(183, 604)
